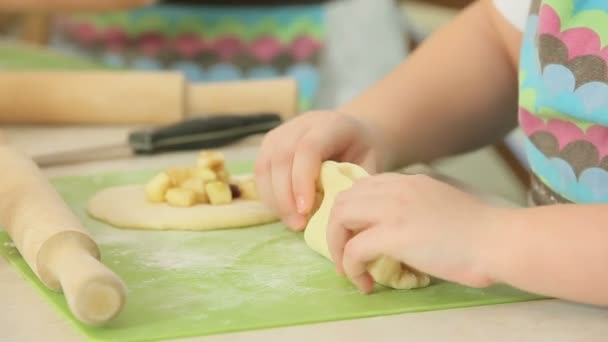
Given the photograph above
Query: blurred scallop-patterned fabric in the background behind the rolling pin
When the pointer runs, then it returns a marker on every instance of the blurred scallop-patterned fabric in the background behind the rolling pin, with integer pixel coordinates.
(206, 43)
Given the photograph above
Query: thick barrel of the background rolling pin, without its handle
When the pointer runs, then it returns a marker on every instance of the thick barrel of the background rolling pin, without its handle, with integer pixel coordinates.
(91, 97)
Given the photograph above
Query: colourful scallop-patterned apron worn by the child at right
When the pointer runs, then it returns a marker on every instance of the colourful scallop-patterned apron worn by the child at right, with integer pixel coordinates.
(564, 97)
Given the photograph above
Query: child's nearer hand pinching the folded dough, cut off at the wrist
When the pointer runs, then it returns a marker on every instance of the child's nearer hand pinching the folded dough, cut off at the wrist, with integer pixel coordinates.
(417, 220)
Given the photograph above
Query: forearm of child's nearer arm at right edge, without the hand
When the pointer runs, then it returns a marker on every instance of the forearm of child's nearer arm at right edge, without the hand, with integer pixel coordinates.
(560, 251)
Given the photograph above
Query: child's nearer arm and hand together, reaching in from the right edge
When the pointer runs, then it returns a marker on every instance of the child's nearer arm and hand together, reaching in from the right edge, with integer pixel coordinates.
(559, 251)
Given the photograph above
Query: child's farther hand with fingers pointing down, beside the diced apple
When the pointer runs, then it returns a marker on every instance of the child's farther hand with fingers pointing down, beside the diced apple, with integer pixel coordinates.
(291, 155)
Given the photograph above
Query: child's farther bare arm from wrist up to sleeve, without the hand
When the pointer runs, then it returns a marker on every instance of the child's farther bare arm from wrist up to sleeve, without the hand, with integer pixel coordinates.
(458, 91)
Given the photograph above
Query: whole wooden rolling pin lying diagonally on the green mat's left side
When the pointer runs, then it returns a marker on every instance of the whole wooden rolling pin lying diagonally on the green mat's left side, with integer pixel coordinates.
(53, 243)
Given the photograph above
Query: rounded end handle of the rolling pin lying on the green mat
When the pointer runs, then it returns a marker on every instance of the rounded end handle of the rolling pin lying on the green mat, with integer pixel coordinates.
(69, 262)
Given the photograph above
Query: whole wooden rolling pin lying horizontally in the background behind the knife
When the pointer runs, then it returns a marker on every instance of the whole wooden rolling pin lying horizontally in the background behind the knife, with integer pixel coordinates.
(132, 97)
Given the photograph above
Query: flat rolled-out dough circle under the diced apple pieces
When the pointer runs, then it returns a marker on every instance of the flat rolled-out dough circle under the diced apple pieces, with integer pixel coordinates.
(127, 207)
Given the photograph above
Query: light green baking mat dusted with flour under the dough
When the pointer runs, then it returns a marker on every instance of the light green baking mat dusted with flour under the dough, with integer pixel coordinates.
(184, 284)
